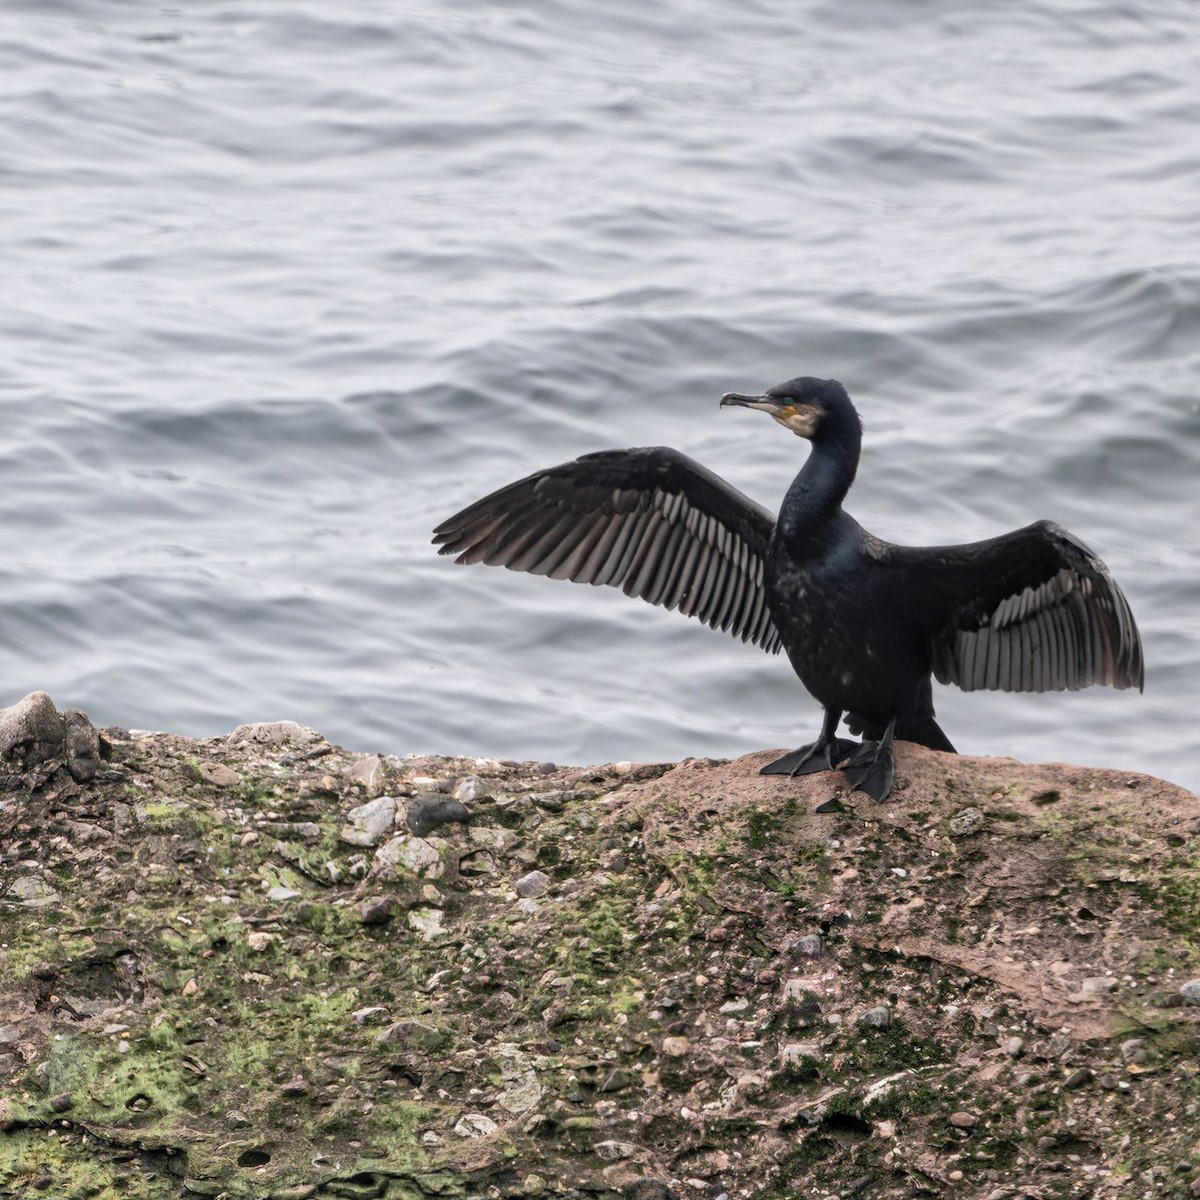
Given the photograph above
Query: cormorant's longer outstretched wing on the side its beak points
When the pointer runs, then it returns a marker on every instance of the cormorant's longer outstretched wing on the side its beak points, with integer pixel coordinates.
(650, 521)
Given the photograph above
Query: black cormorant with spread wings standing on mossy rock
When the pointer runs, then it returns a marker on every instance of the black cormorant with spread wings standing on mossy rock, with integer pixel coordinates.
(865, 623)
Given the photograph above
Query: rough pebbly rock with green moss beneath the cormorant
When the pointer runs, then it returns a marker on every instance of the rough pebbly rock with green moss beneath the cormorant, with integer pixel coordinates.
(207, 991)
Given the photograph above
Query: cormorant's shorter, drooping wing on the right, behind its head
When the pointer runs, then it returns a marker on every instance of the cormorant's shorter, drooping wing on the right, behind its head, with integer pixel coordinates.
(1034, 610)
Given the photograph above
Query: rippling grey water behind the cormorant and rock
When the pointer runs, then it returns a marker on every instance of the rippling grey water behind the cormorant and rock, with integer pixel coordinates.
(289, 284)
